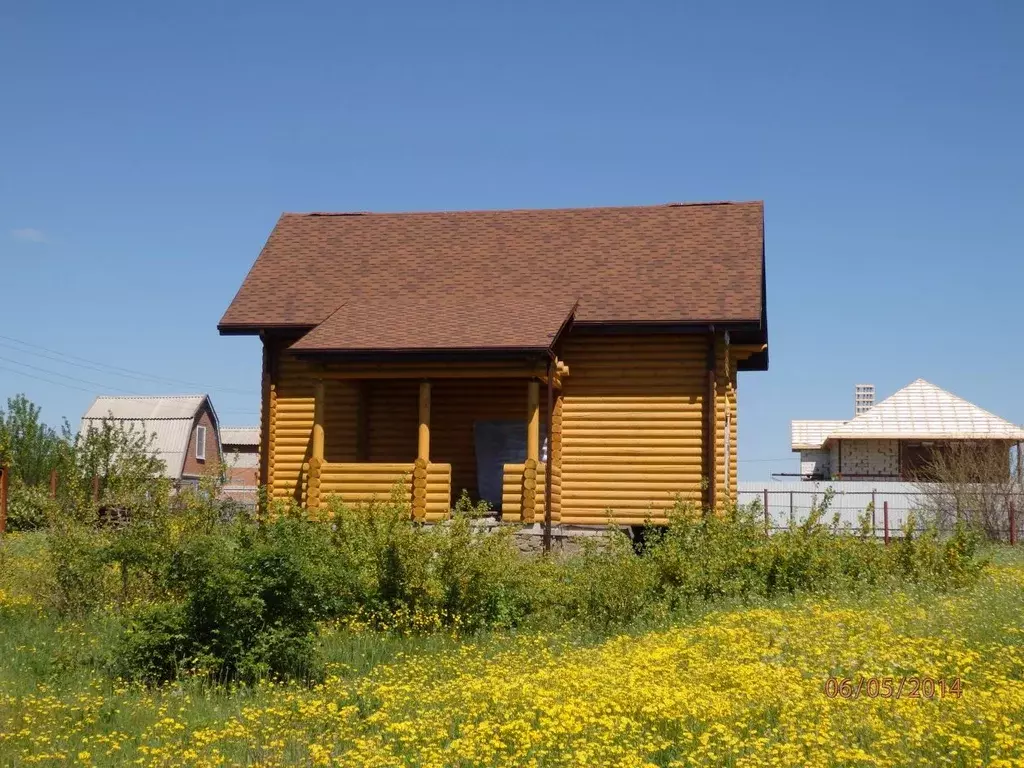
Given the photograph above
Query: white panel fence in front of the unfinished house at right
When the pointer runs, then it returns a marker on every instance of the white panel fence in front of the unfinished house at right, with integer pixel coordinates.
(887, 506)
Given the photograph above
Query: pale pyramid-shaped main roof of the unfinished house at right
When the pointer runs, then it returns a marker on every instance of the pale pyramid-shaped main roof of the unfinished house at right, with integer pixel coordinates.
(922, 410)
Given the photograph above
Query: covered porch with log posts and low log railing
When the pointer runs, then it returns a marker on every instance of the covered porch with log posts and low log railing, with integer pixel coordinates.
(435, 431)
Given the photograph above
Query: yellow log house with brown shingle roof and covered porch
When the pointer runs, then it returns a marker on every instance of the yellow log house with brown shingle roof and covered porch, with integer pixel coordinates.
(438, 348)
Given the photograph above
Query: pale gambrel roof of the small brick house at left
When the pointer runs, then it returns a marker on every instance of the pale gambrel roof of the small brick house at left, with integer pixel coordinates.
(168, 418)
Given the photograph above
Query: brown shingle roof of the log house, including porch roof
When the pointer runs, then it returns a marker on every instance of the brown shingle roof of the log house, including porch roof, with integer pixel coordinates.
(494, 279)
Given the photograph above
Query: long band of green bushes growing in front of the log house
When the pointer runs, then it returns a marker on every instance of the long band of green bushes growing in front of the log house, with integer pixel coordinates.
(241, 598)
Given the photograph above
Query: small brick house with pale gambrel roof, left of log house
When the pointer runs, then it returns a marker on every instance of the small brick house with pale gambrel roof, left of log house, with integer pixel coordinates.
(185, 430)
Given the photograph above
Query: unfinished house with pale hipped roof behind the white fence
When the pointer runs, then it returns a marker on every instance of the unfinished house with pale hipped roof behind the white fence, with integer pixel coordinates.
(899, 439)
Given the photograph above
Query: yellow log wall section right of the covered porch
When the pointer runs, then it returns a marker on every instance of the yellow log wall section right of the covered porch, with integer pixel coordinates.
(631, 424)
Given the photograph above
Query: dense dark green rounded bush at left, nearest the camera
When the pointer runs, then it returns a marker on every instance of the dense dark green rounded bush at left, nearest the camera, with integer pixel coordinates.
(244, 605)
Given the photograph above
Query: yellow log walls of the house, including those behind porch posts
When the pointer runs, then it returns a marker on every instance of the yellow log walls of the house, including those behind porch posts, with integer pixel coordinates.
(627, 430)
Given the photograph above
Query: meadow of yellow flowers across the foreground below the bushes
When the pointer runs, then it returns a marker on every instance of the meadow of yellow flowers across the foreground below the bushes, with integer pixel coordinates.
(743, 688)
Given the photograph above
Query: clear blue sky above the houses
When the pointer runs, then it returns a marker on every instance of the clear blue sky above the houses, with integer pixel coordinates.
(147, 150)
